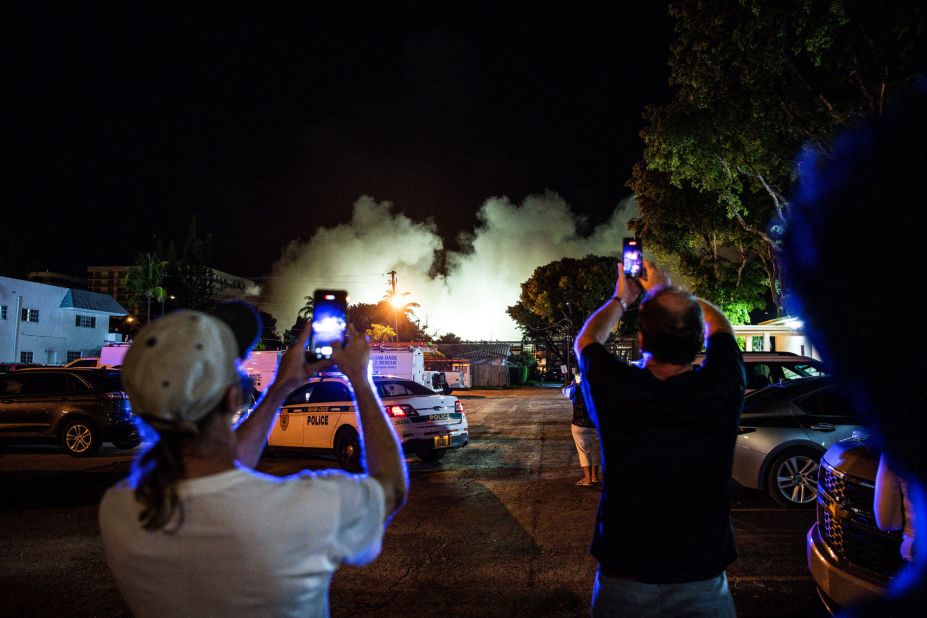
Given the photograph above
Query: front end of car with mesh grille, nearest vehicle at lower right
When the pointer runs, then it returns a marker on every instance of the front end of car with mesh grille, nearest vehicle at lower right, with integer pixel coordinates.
(849, 558)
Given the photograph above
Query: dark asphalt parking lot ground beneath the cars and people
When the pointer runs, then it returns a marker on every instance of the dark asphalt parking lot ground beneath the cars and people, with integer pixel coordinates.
(496, 528)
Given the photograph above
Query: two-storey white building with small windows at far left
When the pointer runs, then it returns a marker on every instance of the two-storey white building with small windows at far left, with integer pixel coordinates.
(48, 324)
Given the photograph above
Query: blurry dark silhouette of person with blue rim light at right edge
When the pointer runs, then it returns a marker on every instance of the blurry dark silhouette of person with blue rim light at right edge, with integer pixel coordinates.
(853, 252)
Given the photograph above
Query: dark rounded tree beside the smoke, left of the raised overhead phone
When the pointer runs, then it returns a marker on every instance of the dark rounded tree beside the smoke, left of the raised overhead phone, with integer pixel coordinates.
(558, 297)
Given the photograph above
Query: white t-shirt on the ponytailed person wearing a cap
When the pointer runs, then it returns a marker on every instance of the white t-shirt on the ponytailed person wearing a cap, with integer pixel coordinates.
(249, 544)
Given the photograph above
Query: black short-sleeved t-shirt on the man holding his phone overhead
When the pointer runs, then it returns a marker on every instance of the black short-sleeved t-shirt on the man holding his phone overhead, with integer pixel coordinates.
(667, 449)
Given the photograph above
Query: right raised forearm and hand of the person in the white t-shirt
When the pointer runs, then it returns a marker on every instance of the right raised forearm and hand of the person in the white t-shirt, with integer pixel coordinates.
(382, 451)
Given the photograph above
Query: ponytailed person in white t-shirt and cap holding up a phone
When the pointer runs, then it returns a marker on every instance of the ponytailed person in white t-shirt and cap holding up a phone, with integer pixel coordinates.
(195, 531)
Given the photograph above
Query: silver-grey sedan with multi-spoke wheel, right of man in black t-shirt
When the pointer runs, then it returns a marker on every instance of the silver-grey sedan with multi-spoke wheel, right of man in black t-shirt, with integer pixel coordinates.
(784, 430)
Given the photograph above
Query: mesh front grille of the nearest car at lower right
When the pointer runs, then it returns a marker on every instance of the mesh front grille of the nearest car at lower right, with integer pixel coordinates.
(847, 523)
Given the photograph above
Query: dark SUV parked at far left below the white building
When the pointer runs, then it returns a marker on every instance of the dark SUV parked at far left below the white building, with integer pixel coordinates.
(77, 408)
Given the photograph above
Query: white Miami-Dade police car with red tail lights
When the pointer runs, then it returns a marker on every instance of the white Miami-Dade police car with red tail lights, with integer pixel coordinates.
(321, 416)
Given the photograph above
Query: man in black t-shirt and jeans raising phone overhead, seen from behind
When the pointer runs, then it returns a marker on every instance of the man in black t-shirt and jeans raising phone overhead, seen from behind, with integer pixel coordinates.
(663, 533)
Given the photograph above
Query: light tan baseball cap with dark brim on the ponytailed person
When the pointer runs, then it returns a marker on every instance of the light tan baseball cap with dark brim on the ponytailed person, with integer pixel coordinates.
(180, 366)
